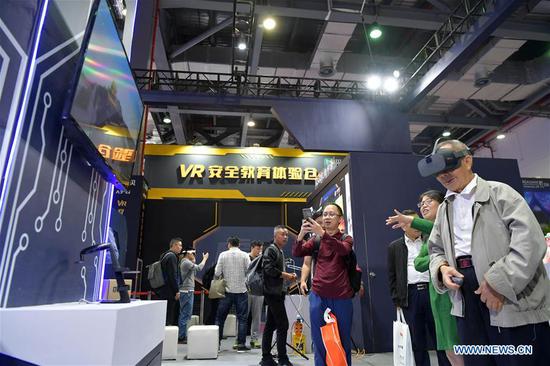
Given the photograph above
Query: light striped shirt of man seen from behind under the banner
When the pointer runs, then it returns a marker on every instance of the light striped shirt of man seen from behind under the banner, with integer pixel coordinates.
(232, 265)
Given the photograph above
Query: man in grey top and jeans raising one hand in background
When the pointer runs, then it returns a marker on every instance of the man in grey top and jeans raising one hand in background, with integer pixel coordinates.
(188, 270)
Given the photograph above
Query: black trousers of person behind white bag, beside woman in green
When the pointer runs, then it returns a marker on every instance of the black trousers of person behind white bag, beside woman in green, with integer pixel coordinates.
(418, 315)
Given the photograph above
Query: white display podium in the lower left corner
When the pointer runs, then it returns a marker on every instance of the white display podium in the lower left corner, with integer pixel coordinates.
(84, 334)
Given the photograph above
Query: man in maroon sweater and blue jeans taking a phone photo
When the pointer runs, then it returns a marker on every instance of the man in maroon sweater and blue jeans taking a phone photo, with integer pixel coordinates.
(331, 285)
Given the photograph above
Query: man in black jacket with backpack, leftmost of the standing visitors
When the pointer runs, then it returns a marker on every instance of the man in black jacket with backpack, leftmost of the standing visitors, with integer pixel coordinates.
(170, 271)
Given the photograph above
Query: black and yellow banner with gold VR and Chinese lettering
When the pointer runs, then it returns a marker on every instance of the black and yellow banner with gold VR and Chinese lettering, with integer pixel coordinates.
(252, 174)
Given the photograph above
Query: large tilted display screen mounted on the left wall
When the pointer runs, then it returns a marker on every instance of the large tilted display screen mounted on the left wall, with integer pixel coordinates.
(106, 106)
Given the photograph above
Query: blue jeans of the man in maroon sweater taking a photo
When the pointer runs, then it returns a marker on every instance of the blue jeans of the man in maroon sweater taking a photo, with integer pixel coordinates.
(343, 310)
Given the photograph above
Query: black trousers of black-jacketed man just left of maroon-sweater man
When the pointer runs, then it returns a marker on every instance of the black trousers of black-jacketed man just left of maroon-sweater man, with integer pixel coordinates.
(276, 320)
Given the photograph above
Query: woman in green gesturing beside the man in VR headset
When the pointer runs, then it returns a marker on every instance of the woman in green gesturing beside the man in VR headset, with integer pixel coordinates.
(445, 323)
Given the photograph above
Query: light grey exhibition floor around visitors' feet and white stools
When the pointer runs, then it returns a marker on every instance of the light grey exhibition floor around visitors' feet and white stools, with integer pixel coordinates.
(228, 357)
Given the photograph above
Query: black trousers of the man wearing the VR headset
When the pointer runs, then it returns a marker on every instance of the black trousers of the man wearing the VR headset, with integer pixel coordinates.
(475, 329)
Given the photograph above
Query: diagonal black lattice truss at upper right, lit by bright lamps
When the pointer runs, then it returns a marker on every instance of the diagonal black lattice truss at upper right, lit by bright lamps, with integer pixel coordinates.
(479, 31)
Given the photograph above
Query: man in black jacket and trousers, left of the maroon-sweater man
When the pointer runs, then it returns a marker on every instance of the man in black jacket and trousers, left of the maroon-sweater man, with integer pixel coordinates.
(274, 295)
